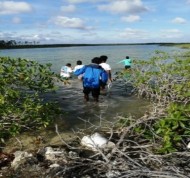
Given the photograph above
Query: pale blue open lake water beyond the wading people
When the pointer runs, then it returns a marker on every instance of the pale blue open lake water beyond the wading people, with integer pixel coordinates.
(61, 56)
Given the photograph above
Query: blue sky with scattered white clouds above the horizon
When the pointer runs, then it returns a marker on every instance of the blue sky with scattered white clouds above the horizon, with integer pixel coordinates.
(95, 21)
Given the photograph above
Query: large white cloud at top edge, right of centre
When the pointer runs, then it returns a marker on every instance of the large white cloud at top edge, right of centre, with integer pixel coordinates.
(124, 6)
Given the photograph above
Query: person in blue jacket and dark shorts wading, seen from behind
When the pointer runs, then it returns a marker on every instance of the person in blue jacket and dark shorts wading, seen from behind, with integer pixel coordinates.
(93, 74)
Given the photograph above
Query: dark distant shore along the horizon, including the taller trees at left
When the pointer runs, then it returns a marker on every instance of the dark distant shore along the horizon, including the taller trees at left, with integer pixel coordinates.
(13, 45)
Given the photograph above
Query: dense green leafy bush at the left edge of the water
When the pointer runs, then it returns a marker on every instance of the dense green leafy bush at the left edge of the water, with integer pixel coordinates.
(21, 101)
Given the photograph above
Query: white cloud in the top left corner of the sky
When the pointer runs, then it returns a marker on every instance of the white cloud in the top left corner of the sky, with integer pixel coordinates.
(12, 7)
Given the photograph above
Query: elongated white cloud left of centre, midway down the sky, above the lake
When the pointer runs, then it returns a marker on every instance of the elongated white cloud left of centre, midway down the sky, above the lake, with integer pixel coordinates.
(67, 22)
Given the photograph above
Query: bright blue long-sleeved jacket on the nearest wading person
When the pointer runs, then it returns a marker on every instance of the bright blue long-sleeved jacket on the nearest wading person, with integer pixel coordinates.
(92, 75)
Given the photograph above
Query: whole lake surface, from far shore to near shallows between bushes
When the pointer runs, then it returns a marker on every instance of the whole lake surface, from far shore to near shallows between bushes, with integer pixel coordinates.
(77, 112)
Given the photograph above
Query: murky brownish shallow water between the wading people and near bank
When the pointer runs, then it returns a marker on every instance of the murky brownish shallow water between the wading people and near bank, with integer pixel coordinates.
(79, 114)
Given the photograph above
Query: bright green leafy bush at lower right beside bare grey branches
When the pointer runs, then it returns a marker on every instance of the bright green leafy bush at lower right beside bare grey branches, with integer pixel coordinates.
(174, 127)
